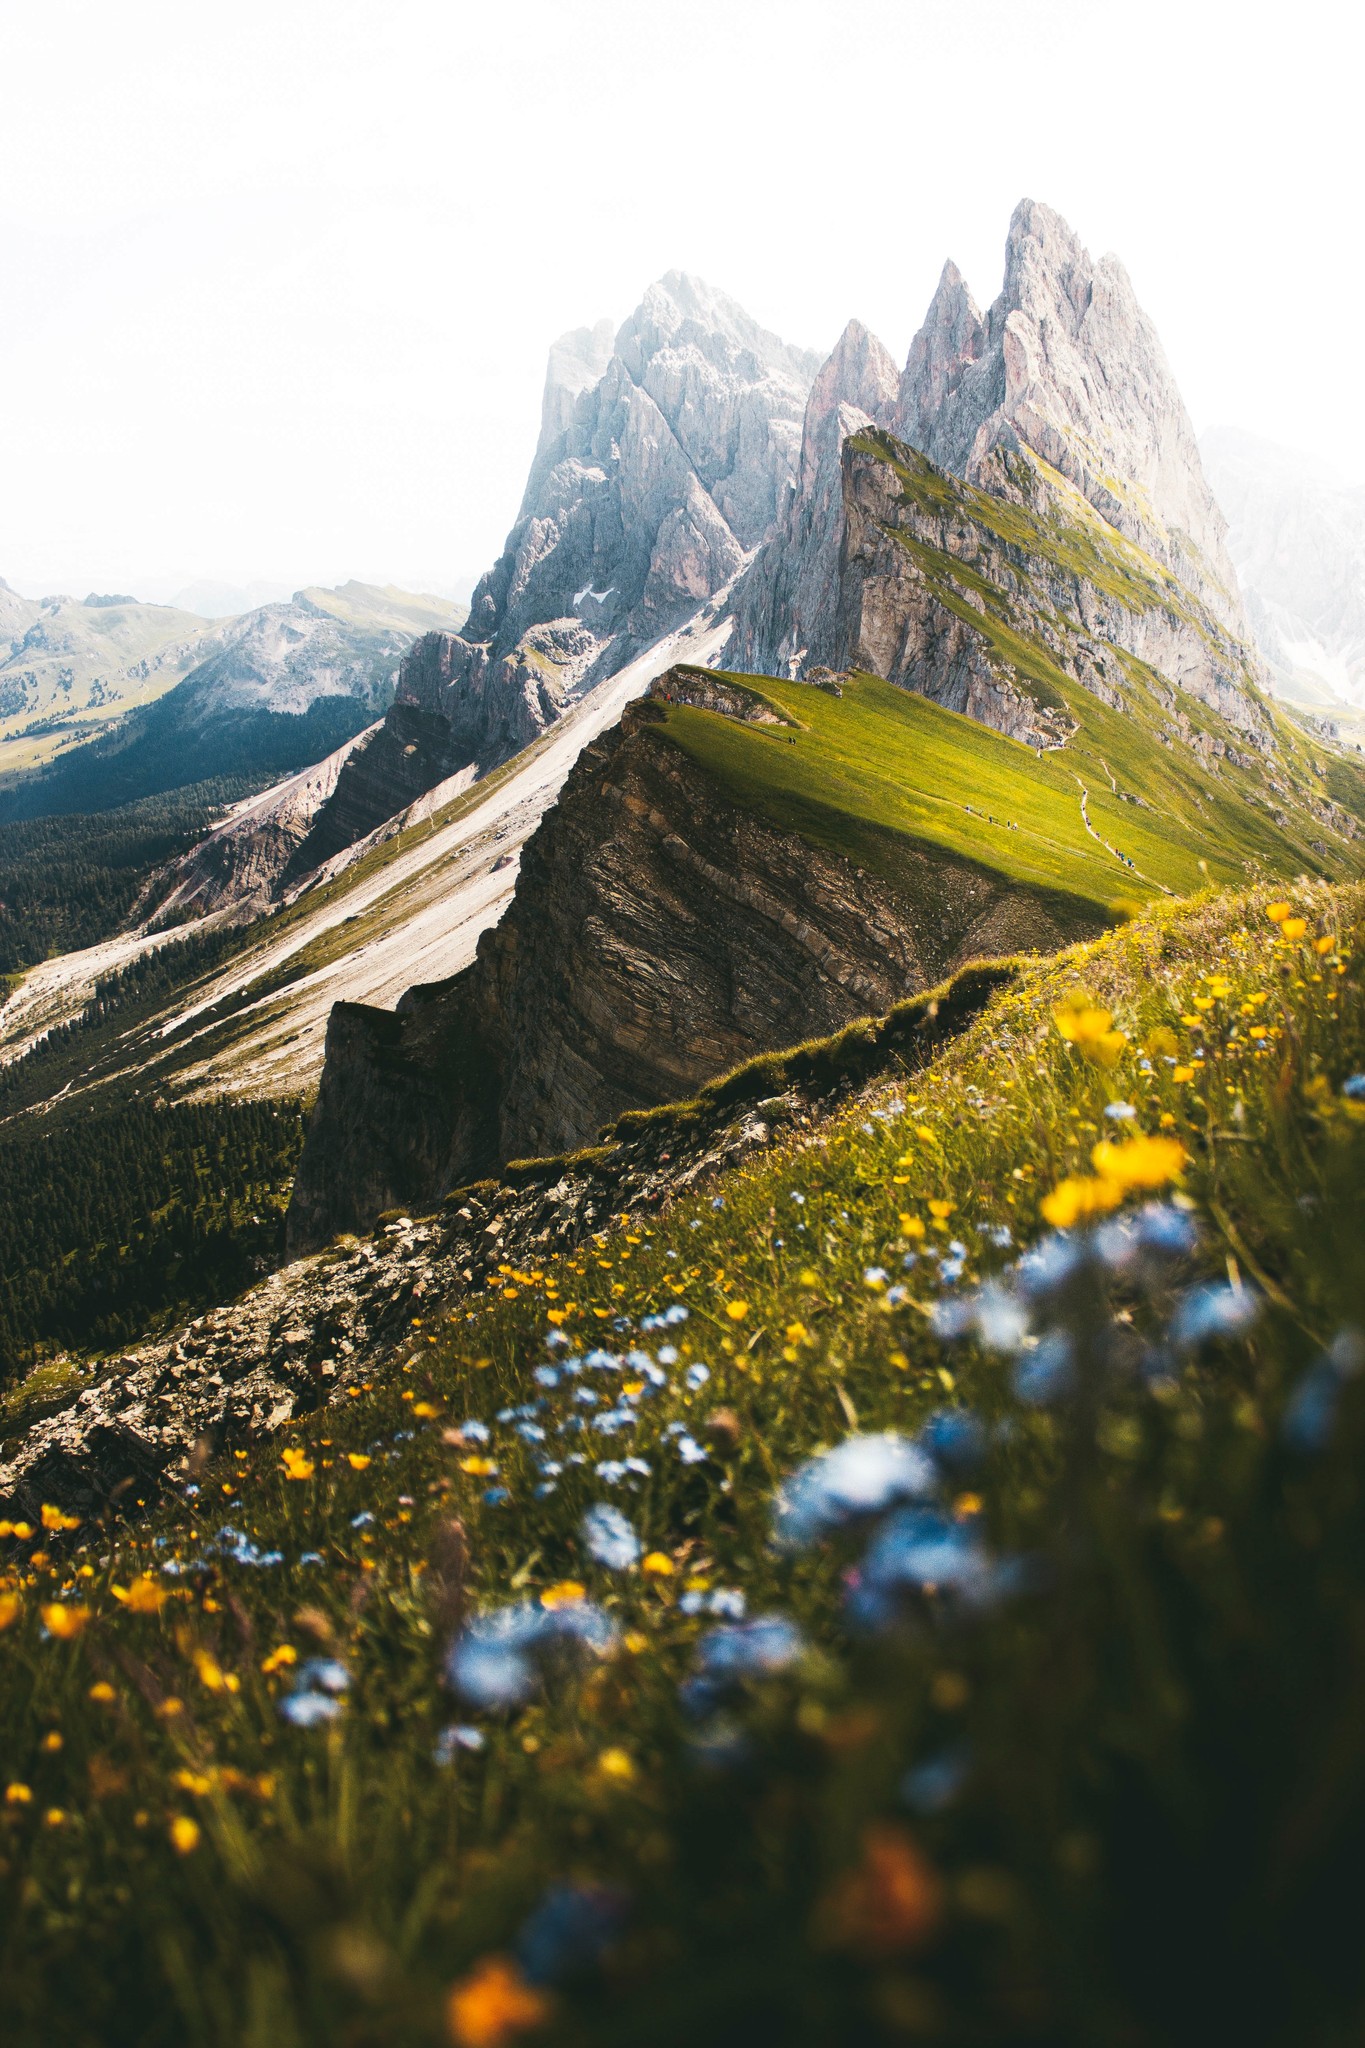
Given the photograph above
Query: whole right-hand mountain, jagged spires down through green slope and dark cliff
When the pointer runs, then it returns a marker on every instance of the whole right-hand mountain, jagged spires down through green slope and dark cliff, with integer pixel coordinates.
(1022, 703)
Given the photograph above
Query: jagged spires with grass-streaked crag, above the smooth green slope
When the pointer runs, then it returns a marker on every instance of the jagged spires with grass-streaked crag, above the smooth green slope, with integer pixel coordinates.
(1077, 495)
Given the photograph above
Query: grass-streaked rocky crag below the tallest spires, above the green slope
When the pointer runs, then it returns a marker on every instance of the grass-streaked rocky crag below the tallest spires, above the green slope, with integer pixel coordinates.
(987, 601)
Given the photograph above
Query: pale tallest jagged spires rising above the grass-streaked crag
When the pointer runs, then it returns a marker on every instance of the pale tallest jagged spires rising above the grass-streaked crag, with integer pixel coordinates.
(1069, 366)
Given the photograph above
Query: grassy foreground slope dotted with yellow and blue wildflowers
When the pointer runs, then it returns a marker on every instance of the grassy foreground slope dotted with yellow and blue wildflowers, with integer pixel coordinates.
(912, 1592)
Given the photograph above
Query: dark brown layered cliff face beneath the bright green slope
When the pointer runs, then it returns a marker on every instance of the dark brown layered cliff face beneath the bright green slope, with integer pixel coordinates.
(658, 937)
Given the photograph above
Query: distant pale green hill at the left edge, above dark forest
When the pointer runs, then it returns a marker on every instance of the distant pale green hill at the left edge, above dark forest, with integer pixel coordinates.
(71, 667)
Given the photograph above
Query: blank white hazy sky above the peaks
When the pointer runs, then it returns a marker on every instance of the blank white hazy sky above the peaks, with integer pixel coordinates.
(279, 280)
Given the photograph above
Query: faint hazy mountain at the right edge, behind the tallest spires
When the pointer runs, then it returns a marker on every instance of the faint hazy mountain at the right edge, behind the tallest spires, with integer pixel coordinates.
(1298, 542)
